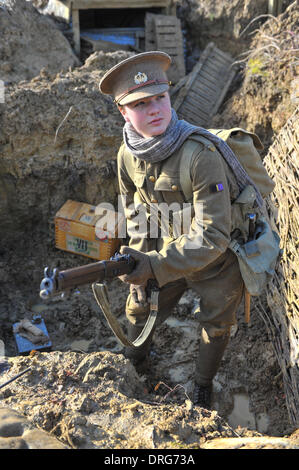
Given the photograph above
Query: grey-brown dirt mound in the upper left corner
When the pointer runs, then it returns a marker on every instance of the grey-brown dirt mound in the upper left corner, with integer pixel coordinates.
(29, 42)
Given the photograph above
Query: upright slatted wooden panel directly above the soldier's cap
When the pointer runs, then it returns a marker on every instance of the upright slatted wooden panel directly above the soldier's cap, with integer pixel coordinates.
(163, 33)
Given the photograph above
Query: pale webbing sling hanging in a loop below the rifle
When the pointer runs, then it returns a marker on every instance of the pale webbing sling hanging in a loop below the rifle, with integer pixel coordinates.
(101, 295)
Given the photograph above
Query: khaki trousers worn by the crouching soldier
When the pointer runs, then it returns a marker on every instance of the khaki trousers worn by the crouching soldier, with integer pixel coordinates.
(220, 288)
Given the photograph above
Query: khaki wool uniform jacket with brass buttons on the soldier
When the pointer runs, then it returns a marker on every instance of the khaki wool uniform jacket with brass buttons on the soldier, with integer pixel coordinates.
(146, 184)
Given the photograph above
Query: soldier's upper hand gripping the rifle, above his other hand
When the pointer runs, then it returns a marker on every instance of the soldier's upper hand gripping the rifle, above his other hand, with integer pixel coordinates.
(142, 271)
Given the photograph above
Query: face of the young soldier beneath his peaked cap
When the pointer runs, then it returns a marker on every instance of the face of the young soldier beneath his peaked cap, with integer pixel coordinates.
(149, 116)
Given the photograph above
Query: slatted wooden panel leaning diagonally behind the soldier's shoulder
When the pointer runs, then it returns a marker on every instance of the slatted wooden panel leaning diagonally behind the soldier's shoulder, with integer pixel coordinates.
(200, 93)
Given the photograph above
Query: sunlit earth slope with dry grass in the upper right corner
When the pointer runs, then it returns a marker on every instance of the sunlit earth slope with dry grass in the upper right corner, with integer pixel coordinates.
(268, 94)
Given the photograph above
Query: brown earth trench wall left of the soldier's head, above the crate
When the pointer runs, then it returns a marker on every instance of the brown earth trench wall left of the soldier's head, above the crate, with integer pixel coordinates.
(58, 138)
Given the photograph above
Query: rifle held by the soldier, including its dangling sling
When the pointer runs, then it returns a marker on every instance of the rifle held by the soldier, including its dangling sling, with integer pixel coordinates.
(97, 273)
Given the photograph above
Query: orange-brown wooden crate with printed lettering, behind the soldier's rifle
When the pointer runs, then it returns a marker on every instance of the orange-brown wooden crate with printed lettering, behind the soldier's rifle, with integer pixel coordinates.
(78, 230)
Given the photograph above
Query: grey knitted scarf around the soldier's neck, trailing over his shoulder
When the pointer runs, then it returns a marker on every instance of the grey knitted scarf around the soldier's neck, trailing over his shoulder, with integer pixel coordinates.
(158, 148)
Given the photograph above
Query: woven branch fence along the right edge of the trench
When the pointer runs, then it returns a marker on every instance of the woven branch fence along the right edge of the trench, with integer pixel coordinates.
(281, 313)
